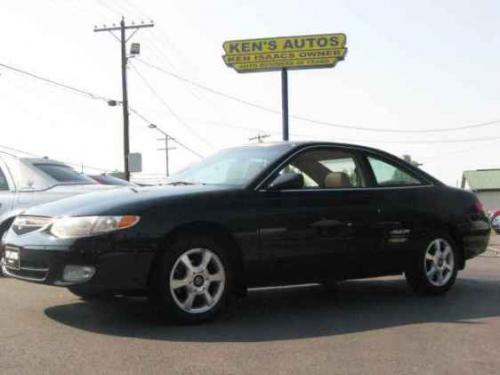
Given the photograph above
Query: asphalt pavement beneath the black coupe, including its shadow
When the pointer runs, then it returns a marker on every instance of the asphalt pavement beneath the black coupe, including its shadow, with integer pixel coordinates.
(374, 326)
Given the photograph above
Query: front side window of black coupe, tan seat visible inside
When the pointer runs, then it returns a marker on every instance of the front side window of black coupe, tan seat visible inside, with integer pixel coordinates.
(326, 169)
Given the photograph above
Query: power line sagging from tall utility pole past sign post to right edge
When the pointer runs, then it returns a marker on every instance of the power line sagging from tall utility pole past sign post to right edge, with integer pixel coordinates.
(307, 119)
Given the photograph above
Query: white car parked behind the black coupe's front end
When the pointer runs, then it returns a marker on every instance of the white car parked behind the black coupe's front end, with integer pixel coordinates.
(26, 182)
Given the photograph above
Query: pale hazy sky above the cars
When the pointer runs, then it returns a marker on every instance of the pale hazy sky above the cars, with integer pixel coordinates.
(411, 66)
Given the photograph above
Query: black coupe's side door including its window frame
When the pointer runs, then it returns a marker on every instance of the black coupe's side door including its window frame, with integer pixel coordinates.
(309, 232)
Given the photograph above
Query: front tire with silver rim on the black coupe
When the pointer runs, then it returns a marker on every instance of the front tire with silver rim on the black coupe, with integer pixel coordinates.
(194, 282)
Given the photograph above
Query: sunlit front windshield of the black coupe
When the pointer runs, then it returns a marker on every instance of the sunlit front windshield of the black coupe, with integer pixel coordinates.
(234, 167)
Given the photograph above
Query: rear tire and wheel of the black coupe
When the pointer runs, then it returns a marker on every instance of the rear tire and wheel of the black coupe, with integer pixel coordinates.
(434, 268)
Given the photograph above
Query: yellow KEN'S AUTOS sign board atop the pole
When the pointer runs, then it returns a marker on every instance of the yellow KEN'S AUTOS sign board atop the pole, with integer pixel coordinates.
(297, 52)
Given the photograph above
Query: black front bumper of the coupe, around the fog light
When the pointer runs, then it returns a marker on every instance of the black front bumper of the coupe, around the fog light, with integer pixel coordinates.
(115, 270)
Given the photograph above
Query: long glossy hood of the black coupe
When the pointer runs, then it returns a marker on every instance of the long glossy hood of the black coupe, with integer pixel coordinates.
(123, 200)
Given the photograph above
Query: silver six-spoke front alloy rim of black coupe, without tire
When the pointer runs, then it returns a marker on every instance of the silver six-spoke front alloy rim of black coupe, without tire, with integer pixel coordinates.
(197, 280)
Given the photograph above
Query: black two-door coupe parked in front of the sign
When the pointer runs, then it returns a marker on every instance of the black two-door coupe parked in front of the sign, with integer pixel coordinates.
(274, 214)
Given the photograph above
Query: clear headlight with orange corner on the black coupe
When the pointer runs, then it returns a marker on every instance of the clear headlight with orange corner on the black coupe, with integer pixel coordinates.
(84, 226)
